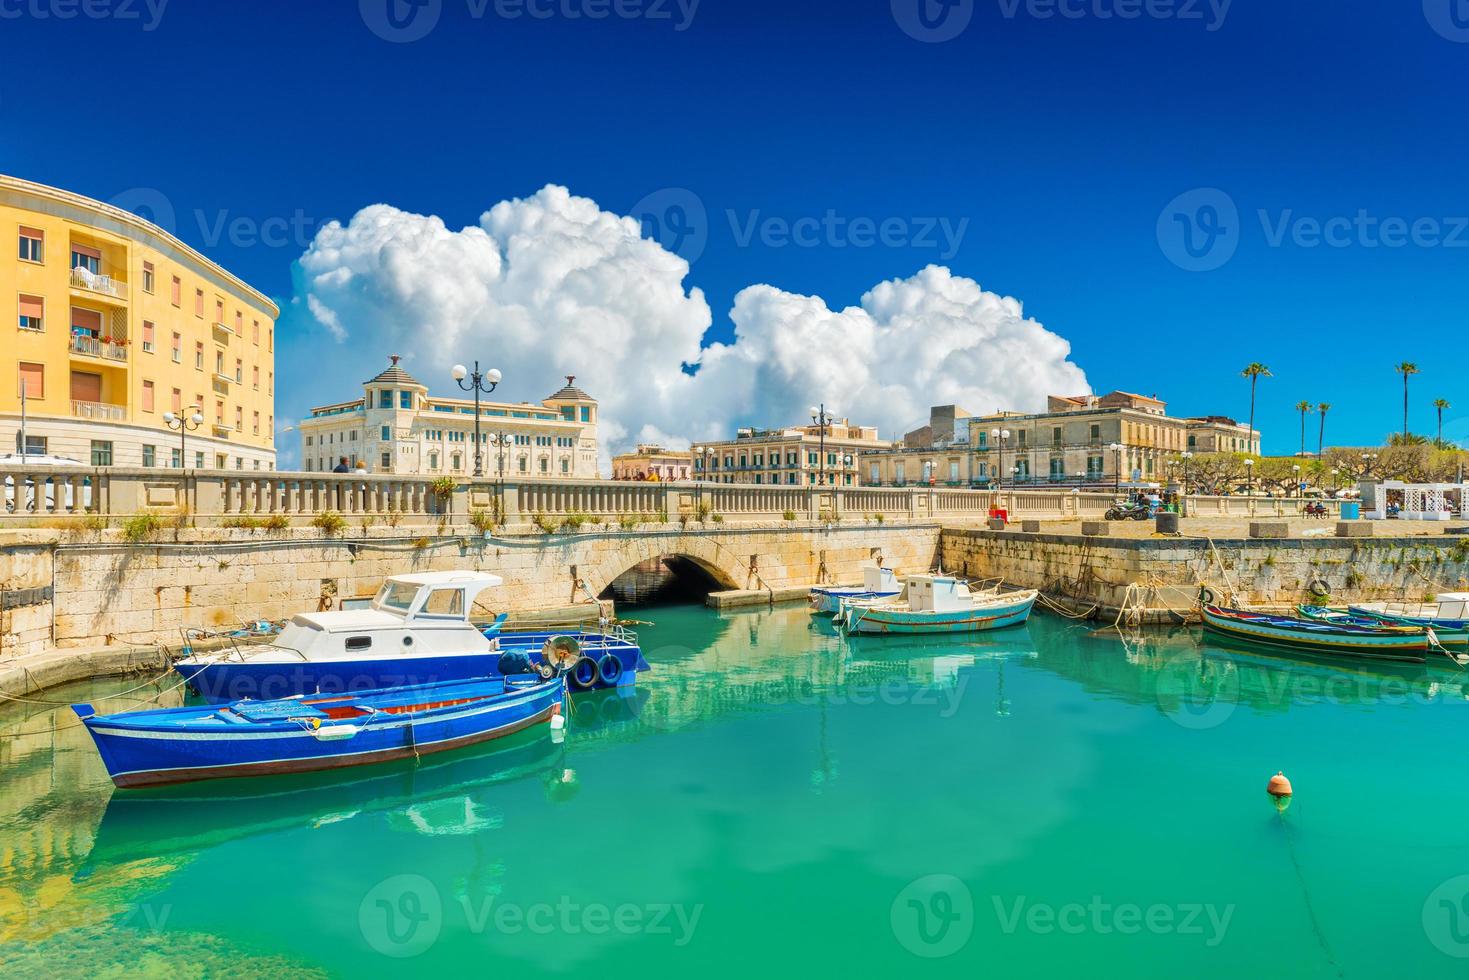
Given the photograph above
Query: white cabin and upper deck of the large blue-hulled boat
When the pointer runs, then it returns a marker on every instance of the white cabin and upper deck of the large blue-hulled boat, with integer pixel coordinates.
(422, 615)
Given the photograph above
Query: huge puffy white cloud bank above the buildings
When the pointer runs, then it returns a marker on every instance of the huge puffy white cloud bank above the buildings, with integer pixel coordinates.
(555, 286)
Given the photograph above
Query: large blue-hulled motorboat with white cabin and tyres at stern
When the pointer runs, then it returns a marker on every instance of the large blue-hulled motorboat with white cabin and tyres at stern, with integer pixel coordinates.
(418, 631)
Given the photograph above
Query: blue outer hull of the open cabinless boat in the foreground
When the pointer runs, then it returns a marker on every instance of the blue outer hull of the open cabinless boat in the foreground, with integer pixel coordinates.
(152, 749)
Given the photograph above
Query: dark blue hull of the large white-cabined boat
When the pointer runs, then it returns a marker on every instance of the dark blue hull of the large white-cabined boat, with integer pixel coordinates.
(224, 681)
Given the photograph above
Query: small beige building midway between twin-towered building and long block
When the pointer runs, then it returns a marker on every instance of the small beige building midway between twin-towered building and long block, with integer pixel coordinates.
(797, 456)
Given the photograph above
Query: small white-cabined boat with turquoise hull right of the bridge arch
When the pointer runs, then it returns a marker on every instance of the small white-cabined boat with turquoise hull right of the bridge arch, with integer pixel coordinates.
(939, 605)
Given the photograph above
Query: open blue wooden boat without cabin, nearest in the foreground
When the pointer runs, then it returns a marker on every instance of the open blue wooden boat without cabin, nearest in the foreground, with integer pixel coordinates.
(320, 732)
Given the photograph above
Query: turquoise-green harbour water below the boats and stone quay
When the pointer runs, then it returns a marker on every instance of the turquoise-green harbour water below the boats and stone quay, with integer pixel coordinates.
(778, 800)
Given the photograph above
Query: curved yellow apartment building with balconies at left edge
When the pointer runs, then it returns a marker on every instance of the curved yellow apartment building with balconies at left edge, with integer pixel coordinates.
(118, 323)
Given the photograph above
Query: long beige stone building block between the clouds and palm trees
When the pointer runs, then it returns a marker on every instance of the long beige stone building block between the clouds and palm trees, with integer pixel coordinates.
(1080, 440)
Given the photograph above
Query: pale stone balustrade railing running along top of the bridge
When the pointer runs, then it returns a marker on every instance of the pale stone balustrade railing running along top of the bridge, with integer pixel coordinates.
(220, 496)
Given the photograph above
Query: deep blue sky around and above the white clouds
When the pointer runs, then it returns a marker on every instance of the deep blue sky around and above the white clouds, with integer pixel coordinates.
(1060, 145)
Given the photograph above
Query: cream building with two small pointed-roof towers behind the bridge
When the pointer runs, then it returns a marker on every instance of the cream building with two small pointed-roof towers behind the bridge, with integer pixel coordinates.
(399, 428)
